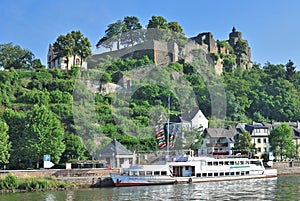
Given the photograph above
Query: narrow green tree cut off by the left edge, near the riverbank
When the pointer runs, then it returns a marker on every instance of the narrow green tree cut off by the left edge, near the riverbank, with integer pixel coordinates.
(5, 144)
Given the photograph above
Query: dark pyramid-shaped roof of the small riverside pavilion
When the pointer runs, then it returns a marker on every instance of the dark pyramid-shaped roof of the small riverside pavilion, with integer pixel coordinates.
(113, 148)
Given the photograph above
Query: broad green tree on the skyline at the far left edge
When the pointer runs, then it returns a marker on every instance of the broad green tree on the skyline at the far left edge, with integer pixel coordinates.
(15, 57)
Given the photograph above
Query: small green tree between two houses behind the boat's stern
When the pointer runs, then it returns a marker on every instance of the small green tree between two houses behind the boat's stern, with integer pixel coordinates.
(243, 143)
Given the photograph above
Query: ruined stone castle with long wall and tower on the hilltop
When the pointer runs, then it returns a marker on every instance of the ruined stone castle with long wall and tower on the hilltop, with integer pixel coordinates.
(226, 54)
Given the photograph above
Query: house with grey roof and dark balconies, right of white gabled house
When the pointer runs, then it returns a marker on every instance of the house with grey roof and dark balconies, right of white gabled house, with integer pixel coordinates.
(218, 141)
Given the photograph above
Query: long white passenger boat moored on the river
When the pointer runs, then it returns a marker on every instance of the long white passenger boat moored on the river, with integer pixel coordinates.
(190, 169)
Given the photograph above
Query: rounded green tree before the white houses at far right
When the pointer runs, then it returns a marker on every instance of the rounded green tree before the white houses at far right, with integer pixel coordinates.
(281, 141)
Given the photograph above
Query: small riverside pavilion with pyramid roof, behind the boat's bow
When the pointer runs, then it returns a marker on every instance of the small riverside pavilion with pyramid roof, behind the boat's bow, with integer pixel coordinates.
(116, 155)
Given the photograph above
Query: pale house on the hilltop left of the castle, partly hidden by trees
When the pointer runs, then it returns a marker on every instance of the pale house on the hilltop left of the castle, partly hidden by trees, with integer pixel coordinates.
(55, 60)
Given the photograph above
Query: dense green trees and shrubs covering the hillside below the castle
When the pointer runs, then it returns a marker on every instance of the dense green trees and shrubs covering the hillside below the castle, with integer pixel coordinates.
(52, 112)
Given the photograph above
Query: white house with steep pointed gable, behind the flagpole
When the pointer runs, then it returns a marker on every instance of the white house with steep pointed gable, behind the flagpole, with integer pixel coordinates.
(194, 119)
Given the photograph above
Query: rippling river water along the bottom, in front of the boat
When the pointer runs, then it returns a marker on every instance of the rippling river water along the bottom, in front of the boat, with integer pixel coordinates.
(281, 188)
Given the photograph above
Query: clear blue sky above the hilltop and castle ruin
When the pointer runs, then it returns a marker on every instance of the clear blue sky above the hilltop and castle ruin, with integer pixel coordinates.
(271, 26)
